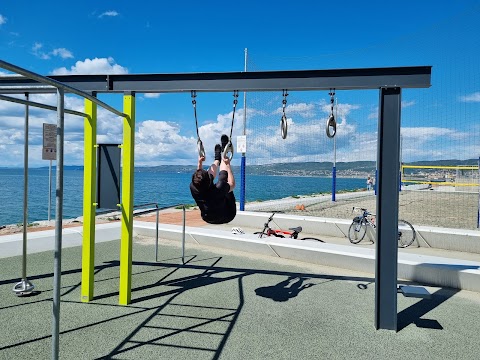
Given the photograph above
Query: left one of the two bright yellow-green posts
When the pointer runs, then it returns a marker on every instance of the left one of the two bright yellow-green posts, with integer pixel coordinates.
(89, 206)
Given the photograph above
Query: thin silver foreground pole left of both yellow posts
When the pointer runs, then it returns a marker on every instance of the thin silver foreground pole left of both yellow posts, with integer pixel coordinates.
(57, 272)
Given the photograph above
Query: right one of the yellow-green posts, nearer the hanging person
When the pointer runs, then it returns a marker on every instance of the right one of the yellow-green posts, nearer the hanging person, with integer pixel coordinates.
(127, 199)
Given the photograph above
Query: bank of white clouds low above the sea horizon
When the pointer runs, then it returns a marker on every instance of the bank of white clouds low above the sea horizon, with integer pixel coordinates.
(167, 141)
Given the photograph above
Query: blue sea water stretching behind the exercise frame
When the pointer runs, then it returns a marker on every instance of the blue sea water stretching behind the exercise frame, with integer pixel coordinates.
(150, 187)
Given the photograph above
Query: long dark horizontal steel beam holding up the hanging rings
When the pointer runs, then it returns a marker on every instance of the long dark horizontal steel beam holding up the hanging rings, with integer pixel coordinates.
(294, 80)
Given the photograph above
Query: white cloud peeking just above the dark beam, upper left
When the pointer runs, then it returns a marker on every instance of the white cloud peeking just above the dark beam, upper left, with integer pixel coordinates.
(92, 66)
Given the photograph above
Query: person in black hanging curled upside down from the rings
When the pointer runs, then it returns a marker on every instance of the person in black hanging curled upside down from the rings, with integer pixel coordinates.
(216, 201)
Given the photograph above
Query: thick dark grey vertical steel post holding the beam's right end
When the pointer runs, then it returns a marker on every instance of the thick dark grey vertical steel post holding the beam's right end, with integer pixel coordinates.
(388, 157)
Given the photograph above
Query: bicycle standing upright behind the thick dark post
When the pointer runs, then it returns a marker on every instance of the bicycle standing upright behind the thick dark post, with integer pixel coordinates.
(358, 229)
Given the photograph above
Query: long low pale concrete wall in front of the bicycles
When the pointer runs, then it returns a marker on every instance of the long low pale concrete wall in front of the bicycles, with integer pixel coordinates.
(431, 270)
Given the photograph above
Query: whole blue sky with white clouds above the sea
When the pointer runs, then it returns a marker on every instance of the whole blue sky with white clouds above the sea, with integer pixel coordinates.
(210, 36)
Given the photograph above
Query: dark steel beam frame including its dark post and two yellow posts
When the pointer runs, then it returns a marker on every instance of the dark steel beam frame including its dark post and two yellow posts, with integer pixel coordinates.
(389, 82)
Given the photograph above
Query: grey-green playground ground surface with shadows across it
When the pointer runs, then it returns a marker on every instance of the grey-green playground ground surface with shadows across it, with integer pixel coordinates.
(224, 305)
